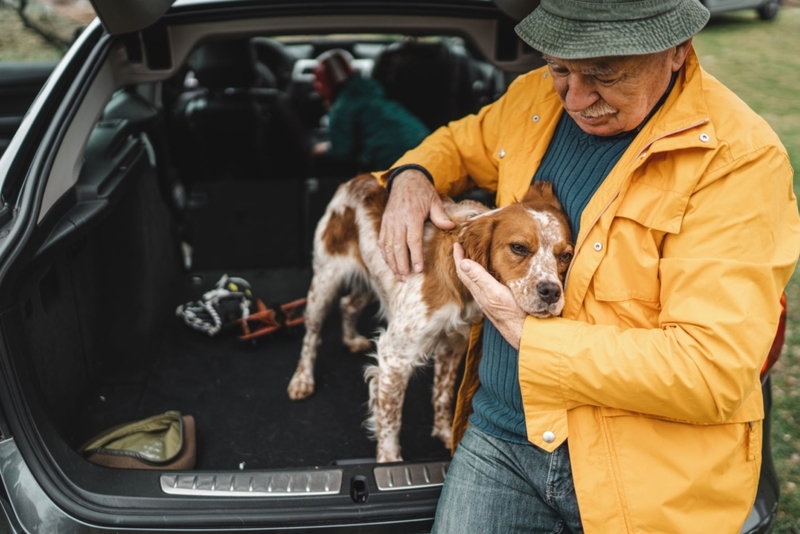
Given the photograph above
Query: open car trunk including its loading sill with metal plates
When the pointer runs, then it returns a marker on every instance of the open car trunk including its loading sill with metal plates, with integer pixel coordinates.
(97, 343)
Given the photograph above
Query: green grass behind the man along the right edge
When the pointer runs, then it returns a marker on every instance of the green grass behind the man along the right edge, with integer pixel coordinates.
(760, 61)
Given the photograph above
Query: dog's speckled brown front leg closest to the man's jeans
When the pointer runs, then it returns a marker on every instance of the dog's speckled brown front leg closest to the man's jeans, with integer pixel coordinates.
(448, 354)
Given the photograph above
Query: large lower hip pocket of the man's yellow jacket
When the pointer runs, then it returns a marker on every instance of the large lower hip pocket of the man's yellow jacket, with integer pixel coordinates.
(661, 466)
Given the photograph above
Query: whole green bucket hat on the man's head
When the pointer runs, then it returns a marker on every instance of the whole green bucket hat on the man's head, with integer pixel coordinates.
(582, 29)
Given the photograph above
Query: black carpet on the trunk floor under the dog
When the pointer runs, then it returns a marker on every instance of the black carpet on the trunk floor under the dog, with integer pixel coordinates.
(236, 391)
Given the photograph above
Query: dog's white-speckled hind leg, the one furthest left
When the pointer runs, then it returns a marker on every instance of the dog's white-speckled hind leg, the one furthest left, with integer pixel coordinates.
(323, 290)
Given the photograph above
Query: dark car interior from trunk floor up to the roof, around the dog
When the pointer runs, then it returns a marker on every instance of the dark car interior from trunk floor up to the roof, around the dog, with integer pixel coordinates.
(169, 178)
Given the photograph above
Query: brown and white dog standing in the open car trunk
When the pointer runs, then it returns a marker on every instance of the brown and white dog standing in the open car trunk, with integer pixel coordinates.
(526, 246)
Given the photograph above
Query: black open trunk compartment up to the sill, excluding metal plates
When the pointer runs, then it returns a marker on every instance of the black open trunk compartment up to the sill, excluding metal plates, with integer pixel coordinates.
(105, 345)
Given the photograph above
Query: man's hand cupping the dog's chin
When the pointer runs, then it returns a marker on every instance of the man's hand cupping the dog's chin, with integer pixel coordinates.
(495, 300)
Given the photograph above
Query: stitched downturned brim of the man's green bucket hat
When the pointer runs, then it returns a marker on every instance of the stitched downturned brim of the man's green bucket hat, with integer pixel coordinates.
(579, 39)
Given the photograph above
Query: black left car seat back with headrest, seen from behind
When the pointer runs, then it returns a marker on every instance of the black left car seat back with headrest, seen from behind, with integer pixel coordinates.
(228, 129)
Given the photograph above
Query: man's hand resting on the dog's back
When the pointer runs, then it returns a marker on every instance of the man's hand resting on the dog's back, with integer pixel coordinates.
(412, 201)
